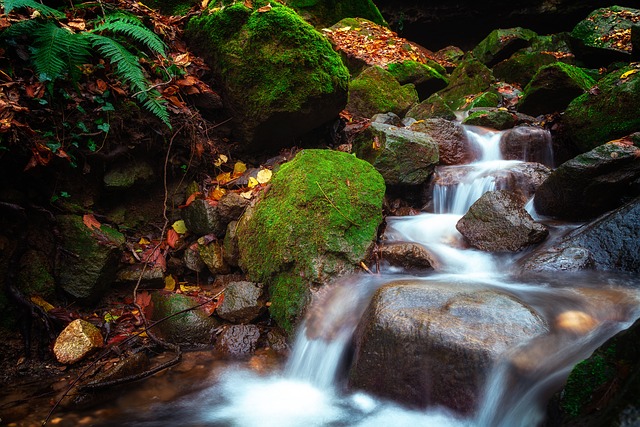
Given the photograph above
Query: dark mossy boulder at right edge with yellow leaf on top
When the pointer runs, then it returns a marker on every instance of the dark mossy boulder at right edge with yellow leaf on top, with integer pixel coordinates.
(607, 113)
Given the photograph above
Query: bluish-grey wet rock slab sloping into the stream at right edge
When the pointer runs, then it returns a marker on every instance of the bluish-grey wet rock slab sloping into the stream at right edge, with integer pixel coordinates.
(607, 243)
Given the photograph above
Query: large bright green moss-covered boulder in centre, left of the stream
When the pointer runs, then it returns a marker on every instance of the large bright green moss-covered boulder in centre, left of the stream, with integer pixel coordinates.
(318, 220)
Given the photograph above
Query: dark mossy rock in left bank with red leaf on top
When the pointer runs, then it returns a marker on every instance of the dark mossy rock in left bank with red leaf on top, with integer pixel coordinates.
(88, 265)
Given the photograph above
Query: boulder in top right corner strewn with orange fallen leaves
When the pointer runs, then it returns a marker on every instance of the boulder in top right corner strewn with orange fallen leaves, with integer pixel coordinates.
(604, 36)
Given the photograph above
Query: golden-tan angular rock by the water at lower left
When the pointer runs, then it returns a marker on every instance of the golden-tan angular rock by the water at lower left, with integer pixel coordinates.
(79, 339)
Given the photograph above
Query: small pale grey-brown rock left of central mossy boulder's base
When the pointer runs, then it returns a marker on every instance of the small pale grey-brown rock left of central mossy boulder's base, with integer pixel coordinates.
(243, 302)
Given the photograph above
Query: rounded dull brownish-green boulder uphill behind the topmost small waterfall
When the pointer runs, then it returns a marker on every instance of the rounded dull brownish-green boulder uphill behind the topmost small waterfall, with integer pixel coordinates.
(470, 78)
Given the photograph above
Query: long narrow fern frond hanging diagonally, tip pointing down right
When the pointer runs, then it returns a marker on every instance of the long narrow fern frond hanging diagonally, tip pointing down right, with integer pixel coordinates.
(128, 69)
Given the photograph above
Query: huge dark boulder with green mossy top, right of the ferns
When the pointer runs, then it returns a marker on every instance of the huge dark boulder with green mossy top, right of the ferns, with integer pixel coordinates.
(280, 77)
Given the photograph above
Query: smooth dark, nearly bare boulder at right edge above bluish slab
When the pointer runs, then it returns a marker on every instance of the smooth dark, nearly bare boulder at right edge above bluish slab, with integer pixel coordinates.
(591, 183)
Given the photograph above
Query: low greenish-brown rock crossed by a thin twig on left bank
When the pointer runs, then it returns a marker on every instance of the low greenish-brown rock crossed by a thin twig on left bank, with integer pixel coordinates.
(191, 327)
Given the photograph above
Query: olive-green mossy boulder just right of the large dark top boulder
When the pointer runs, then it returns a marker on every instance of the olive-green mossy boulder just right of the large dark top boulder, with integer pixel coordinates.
(375, 90)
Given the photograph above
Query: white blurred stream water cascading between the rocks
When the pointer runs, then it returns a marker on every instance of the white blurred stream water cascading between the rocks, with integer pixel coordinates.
(311, 389)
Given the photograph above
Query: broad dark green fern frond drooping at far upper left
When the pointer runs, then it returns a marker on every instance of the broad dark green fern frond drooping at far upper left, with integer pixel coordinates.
(56, 50)
